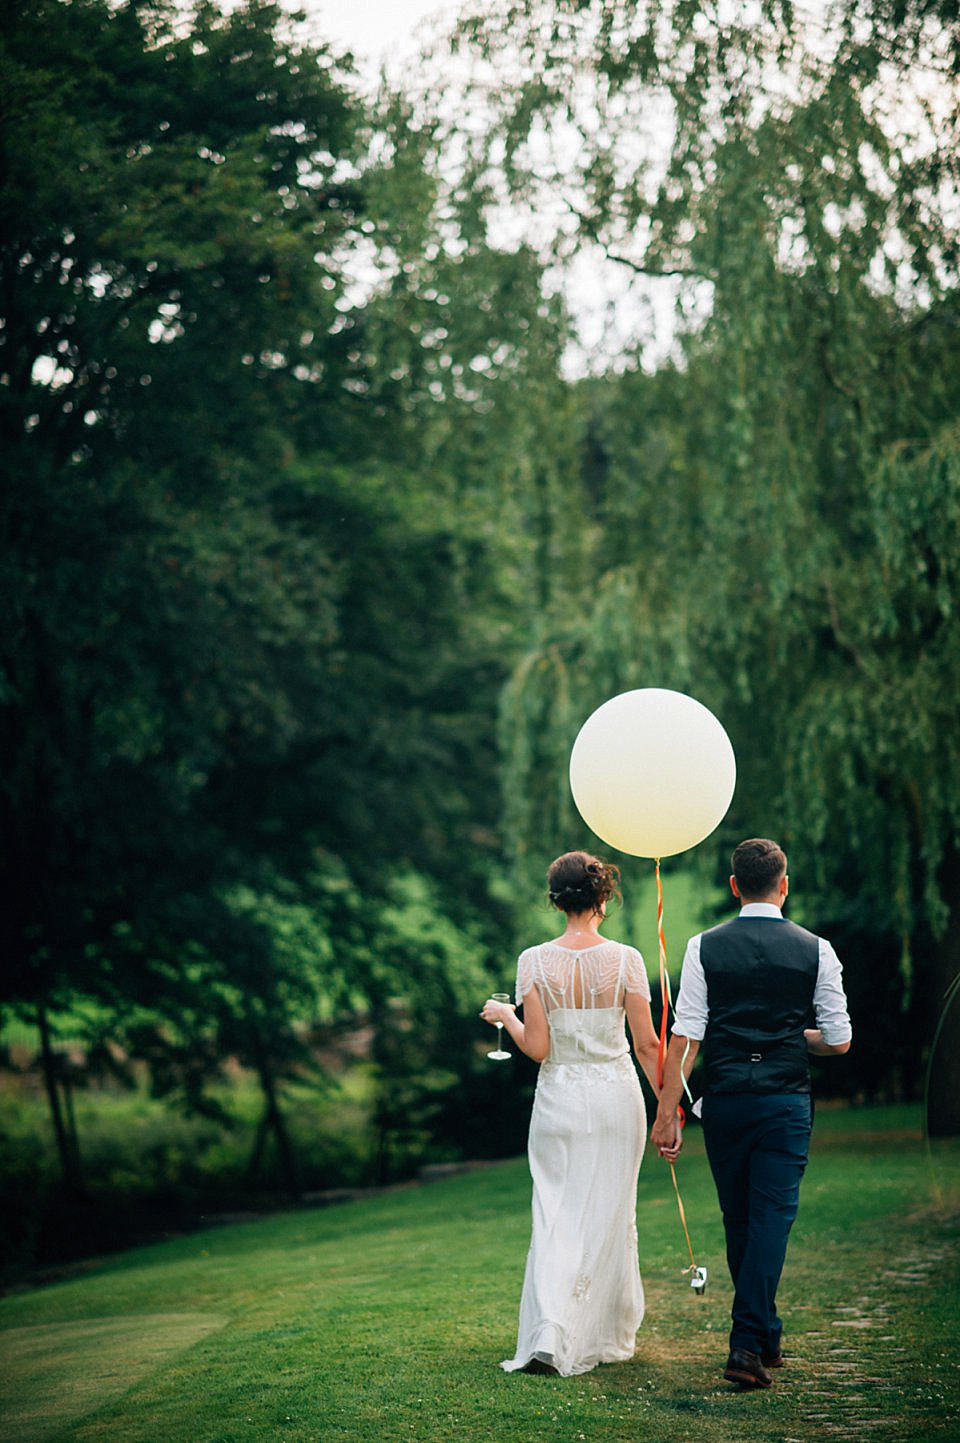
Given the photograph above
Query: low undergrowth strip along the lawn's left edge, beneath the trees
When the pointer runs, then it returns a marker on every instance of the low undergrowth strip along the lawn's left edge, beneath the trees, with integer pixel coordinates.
(151, 1168)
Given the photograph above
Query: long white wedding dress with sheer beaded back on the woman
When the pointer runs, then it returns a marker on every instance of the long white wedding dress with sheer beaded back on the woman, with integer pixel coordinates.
(582, 1298)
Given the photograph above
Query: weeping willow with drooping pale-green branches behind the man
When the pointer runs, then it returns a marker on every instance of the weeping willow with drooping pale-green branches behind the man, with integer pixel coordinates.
(779, 504)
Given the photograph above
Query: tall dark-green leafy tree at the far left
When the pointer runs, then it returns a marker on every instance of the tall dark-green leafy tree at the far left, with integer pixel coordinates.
(162, 201)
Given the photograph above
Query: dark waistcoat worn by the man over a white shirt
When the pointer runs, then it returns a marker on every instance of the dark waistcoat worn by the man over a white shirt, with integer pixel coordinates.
(762, 975)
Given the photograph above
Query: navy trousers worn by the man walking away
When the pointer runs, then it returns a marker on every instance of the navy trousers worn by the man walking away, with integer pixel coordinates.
(757, 1146)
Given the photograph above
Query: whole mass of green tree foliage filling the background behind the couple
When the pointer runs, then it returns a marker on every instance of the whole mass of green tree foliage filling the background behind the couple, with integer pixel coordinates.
(304, 525)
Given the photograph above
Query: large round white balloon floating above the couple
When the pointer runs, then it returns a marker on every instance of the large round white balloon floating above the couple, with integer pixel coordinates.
(653, 773)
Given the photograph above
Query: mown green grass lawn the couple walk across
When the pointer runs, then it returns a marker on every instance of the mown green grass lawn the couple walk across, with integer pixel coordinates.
(385, 1321)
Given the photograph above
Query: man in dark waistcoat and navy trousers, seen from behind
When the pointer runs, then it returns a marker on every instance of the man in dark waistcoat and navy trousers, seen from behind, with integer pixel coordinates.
(747, 992)
